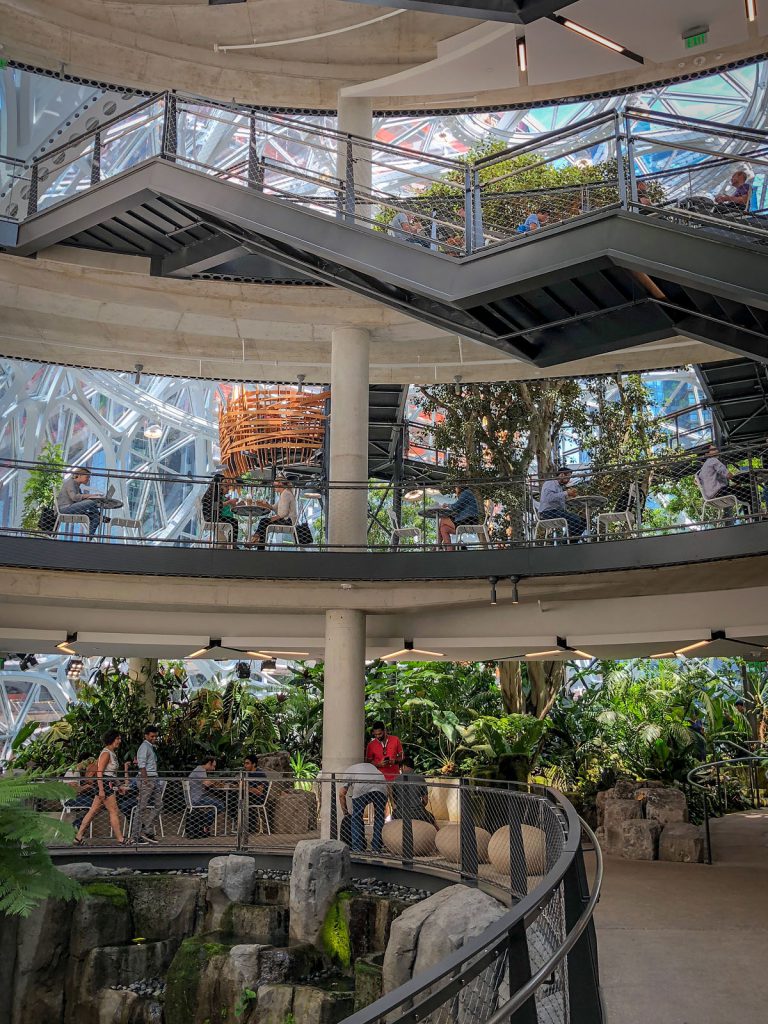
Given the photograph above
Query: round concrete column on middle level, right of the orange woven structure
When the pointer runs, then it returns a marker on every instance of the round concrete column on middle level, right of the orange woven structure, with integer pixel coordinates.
(348, 509)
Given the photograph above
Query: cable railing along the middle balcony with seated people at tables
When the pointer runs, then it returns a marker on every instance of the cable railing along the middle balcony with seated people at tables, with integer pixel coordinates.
(591, 503)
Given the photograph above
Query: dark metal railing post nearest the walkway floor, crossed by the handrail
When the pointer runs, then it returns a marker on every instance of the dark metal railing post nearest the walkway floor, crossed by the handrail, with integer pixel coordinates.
(584, 976)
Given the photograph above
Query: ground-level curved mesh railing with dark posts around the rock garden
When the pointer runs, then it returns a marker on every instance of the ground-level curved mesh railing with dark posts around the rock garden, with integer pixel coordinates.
(521, 843)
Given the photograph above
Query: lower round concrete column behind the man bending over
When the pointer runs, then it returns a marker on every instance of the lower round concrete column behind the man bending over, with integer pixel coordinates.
(345, 705)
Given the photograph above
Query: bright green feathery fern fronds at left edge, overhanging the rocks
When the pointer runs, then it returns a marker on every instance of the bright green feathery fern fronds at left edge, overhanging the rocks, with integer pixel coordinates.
(27, 873)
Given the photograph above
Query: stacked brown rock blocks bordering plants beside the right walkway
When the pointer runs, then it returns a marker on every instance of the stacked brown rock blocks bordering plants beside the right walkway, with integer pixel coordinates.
(646, 821)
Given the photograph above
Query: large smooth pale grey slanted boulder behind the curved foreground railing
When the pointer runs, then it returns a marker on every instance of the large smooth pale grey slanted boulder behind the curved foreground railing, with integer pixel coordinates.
(429, 932)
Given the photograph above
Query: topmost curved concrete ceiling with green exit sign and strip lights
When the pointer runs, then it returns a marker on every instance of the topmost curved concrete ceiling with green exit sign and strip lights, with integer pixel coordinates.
(409, 61)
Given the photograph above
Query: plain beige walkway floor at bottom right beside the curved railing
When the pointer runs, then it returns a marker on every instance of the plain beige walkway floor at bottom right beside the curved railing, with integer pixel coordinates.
(689, 944)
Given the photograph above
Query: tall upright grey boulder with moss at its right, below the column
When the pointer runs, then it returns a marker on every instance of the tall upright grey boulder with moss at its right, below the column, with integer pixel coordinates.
(321, 871)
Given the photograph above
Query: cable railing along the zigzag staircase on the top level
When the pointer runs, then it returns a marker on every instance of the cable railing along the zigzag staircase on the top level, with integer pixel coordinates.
(450, 207)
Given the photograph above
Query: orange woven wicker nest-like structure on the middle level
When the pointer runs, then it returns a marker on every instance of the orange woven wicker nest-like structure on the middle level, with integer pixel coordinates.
(272, 428)
